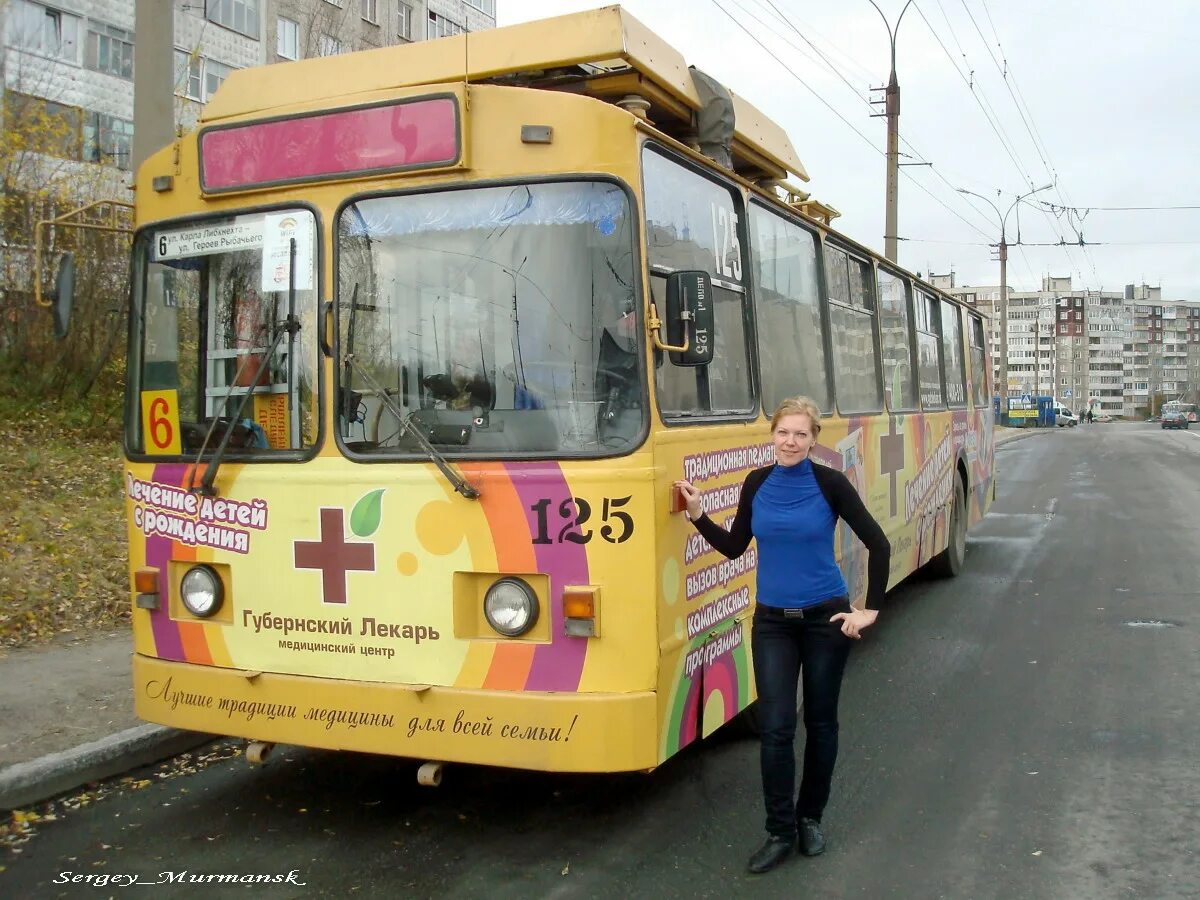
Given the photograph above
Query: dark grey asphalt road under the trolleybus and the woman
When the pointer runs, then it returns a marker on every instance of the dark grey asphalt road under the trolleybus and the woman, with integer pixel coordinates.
(1028, 730)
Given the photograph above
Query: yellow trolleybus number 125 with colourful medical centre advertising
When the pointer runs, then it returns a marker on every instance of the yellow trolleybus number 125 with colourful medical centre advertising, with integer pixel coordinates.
(421, 339)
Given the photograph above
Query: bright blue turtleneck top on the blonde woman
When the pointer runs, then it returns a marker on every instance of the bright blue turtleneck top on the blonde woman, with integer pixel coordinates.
(794, 526)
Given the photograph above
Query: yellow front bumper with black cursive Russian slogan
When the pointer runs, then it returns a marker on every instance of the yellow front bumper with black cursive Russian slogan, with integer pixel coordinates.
(543, 731)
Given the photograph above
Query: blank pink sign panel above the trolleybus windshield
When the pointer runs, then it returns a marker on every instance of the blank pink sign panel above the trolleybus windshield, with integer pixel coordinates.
(345, 143)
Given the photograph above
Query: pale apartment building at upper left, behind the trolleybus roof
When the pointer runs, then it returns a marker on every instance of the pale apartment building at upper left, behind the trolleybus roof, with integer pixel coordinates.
(75, 58)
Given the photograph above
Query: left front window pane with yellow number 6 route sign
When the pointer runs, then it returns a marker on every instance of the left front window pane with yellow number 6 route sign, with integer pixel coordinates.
(212, 328)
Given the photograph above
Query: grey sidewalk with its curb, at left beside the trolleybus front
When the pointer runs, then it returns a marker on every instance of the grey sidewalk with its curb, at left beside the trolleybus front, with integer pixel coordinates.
(67, 718)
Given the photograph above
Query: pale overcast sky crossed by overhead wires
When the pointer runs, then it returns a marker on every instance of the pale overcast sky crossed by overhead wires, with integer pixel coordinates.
(1105, 86)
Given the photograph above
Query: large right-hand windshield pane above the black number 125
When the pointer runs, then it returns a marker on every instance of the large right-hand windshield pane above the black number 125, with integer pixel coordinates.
(496, 321)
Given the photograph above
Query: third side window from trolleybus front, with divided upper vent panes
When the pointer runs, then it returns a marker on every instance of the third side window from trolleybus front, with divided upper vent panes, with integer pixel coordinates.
(853, 332)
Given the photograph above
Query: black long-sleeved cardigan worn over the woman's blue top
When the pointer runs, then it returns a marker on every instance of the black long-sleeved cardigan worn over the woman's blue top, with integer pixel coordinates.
(845, 503)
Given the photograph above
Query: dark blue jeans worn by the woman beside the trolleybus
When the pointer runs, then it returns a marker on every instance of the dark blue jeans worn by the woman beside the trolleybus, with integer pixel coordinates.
(787, 650)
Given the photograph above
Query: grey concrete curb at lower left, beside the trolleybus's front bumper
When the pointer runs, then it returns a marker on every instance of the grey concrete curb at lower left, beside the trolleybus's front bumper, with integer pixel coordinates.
(28, 783)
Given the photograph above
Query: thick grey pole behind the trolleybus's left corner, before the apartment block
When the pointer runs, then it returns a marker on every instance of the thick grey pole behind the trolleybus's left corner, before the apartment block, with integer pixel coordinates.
(154, 97)
